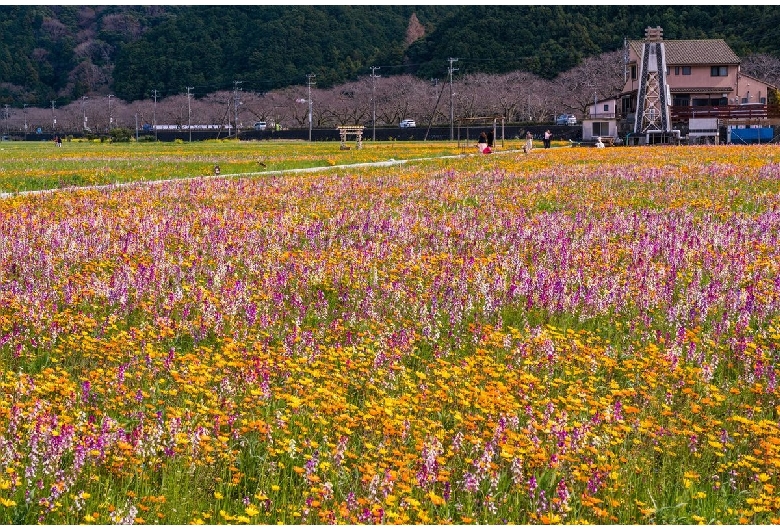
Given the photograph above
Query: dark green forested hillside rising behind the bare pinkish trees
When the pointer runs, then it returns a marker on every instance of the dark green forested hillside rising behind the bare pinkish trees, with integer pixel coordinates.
(61, 53)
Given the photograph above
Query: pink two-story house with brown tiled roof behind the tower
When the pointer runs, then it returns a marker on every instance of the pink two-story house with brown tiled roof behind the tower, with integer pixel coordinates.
(702, 82)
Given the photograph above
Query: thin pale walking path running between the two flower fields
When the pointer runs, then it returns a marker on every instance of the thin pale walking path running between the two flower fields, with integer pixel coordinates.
(384, 163)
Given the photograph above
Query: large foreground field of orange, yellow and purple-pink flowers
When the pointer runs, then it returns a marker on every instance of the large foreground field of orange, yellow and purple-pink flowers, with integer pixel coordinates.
(574, 336)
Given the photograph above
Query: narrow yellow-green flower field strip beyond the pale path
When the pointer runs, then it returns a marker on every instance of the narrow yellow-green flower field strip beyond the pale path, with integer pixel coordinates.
(35, 166)
